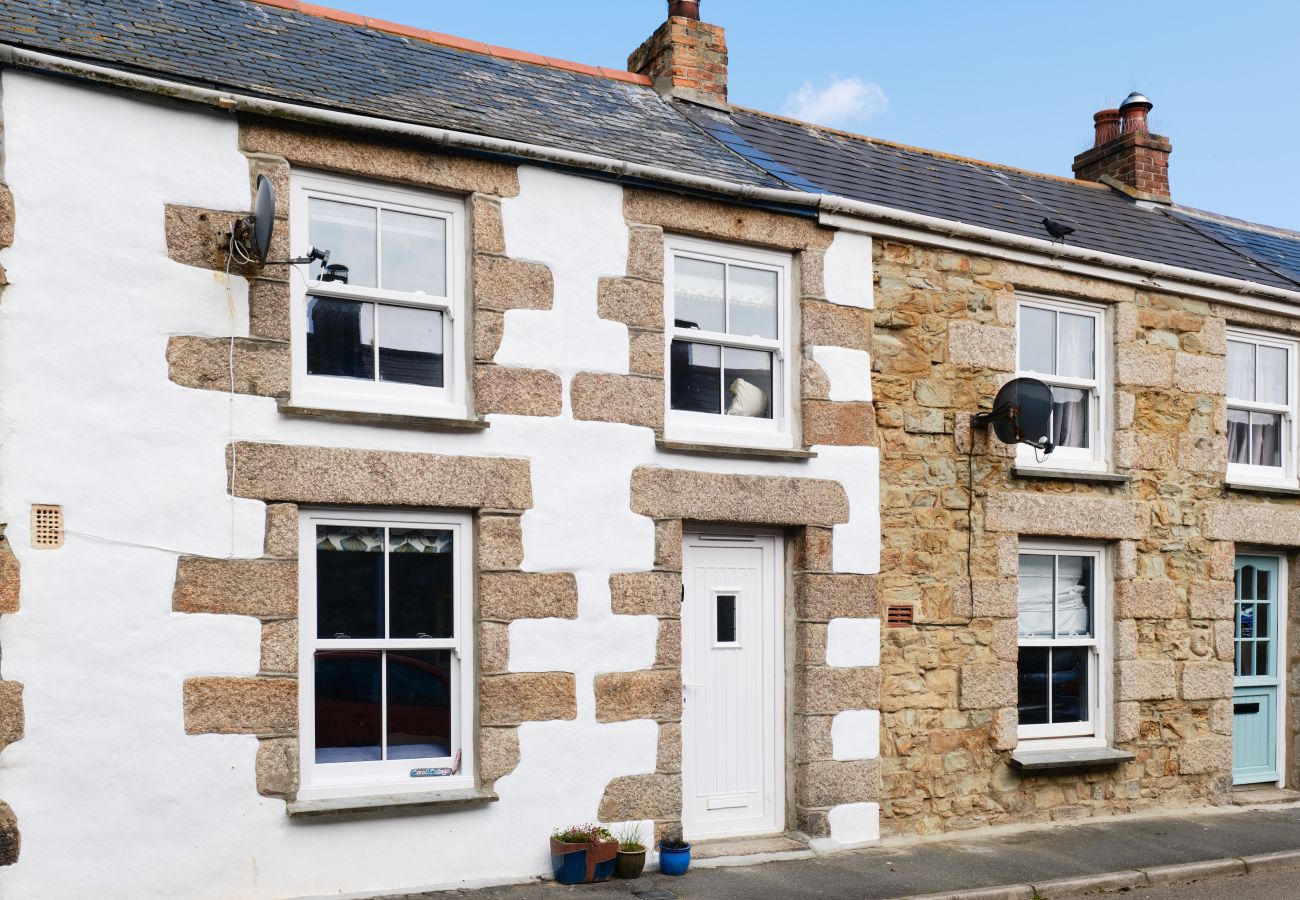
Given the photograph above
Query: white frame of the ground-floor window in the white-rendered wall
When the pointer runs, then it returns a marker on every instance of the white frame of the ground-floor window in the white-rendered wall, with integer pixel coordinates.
(387, 777)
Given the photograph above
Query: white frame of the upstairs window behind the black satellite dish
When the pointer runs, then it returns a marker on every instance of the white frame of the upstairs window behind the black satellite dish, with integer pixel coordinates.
(1097, 458)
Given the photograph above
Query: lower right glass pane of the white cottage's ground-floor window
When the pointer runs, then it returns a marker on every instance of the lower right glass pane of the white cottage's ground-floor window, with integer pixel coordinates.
(419, 695)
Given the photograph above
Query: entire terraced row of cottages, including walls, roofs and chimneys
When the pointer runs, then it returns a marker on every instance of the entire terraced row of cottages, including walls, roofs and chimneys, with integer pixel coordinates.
(586, 448)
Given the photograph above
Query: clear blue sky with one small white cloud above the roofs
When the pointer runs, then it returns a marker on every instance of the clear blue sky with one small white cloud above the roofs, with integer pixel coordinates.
(1013, 83)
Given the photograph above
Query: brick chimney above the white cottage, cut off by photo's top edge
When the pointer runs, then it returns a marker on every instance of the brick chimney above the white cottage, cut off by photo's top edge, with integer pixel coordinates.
(686, 58)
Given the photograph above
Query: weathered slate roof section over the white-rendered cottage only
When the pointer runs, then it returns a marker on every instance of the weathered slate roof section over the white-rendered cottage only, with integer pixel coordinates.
(278, 54)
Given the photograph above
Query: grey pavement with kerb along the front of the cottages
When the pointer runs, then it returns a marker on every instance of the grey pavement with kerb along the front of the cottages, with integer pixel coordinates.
(1042, 864)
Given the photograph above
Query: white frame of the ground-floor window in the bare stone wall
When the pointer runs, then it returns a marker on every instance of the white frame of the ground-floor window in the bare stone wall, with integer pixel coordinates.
(1095, 733)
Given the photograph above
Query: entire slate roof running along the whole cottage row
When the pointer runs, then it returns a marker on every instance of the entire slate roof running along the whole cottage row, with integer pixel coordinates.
(346, 63)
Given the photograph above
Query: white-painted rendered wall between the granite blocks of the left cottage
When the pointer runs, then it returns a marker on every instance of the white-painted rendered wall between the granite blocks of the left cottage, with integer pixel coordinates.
(114, 799)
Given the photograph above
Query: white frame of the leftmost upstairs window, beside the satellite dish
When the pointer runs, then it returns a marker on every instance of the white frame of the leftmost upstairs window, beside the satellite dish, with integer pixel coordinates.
(354, 395)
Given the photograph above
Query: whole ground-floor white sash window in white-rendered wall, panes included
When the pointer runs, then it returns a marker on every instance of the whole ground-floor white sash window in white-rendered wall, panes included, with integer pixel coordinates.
(385, 654)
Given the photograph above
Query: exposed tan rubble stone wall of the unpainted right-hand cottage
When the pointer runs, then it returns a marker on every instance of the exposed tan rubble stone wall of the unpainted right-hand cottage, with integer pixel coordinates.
(944, 343)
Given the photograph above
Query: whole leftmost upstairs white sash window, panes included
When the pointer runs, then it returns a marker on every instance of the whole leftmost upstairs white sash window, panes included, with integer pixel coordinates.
(387, 339)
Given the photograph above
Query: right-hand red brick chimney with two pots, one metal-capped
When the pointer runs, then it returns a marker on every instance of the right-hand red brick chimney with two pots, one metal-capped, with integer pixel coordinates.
(1126, 155)
